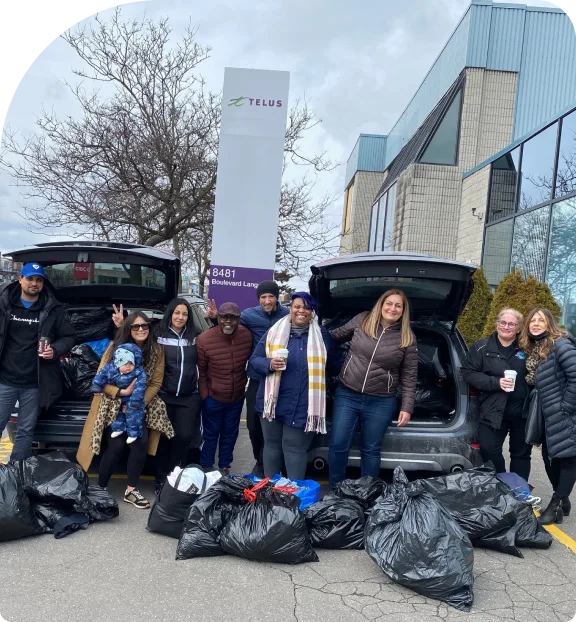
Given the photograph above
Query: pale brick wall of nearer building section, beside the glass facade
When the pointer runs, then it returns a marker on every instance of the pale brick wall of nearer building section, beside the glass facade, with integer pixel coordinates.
(433, 212)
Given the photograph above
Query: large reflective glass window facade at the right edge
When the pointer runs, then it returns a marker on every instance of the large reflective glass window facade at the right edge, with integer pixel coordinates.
(531, 214)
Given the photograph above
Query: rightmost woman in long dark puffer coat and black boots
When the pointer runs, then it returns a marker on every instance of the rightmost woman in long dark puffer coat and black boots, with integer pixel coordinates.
(551, 367)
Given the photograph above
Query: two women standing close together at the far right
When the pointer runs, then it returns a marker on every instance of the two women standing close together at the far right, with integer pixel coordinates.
(543, 355)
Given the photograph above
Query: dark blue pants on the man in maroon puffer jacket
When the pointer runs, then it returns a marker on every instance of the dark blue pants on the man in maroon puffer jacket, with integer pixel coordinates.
(220, 428)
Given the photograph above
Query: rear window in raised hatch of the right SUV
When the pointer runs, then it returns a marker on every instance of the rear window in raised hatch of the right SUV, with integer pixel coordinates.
(374, 286)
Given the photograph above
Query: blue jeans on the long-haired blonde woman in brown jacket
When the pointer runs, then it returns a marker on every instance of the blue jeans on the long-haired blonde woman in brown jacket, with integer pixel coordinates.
(374, 414)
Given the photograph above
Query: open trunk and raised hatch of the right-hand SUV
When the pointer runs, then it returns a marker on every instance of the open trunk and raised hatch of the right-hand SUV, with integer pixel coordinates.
(437, 289)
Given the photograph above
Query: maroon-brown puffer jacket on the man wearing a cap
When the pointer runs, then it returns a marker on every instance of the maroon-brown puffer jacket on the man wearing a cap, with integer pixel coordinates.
(222, 363)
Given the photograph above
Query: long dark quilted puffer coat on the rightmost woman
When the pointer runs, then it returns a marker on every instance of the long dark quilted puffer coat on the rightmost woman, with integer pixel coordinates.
(556, 383)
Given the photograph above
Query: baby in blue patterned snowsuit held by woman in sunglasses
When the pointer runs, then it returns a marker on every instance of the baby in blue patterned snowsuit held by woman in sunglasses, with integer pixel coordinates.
(121, 371)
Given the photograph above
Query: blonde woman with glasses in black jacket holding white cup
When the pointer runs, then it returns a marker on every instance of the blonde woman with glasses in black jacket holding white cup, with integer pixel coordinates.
(503, 401)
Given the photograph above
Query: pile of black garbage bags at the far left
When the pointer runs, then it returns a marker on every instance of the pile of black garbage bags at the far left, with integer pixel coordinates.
(49, 494)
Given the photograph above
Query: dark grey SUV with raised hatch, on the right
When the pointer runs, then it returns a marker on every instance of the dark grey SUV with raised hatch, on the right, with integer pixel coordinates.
(442, 434)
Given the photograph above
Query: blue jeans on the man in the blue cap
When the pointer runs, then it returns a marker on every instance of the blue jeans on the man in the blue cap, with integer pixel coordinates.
(28, 409)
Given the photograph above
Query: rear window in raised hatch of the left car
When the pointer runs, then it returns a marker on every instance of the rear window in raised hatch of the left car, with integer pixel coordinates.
(81, 274)
